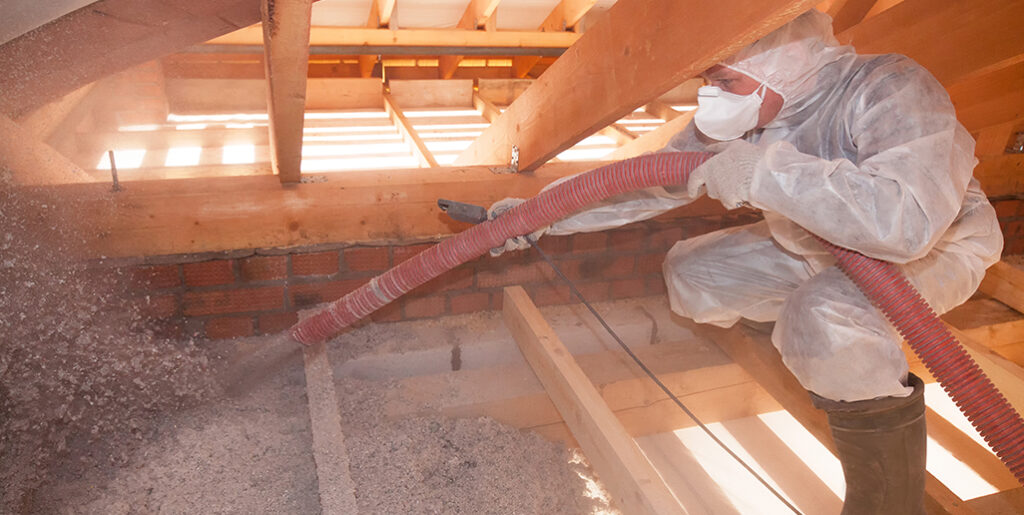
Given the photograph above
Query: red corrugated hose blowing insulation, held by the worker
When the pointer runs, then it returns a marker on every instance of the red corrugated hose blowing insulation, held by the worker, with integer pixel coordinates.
(884, 284)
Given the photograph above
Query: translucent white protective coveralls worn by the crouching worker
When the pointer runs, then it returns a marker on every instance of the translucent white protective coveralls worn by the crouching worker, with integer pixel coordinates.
(867, 153)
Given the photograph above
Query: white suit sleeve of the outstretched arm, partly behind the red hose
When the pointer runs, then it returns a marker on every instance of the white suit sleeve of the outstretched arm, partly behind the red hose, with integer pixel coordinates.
(634, 206)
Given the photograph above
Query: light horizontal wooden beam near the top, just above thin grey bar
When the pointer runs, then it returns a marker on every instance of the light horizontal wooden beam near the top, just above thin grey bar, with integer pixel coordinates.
(437, 39)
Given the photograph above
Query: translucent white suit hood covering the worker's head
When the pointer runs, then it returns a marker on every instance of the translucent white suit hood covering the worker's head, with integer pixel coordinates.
(793, 62)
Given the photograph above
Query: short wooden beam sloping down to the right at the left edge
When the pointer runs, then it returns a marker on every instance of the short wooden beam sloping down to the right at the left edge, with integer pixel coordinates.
(32, 162)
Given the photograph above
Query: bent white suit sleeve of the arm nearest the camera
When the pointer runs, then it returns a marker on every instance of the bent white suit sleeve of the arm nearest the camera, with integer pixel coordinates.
(914, 165)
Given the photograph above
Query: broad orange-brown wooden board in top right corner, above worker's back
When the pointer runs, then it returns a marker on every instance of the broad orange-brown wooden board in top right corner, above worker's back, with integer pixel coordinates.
(982, 35)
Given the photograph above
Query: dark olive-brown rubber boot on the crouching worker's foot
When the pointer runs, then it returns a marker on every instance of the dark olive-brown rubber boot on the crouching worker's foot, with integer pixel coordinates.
(881, 445)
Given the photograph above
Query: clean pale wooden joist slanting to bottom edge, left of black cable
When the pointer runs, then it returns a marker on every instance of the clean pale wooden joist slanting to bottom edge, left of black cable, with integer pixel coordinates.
(619, 462)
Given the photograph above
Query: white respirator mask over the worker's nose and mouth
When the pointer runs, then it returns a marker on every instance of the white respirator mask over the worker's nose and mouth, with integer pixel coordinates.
(726, 116)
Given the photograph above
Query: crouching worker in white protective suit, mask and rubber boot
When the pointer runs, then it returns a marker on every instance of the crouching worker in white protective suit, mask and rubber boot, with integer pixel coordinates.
(866, 152)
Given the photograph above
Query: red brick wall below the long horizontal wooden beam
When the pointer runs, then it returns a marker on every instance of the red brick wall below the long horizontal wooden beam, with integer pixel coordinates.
(255, 294)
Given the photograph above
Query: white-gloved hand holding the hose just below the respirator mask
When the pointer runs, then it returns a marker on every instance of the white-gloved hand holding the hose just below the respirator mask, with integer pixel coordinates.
(728, 177)
